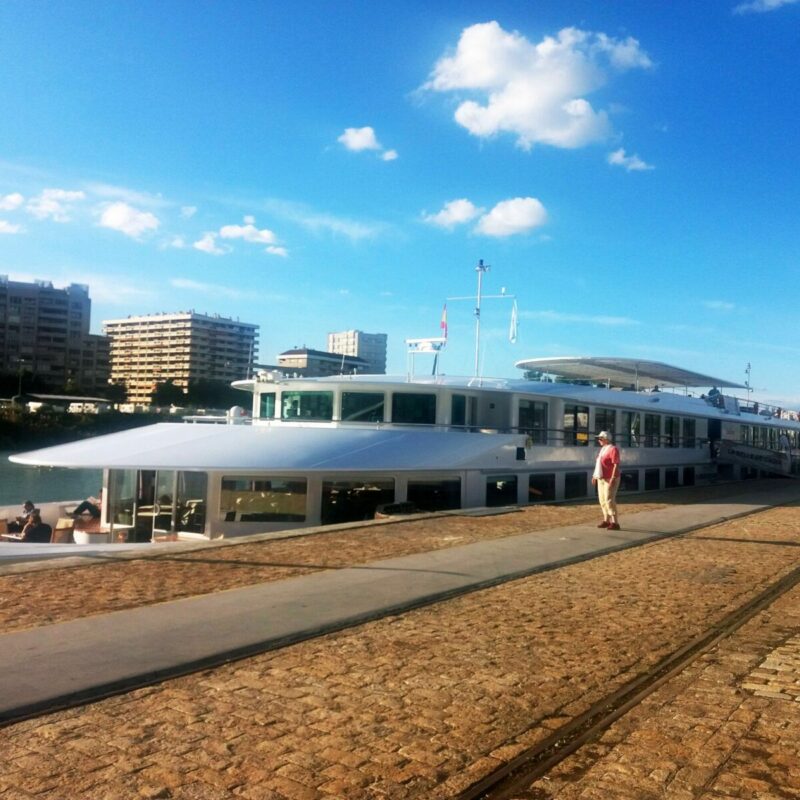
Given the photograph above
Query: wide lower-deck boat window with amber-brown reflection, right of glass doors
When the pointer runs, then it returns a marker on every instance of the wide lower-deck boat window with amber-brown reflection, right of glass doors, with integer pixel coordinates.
(257, 499)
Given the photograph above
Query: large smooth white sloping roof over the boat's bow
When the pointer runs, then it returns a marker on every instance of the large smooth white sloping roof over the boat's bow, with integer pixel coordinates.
(242, 448)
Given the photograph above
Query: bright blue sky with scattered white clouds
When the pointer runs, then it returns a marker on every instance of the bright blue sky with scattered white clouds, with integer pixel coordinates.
(628, 169)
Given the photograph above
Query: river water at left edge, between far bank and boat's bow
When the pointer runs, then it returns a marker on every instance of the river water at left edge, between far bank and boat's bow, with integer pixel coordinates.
(44, 484)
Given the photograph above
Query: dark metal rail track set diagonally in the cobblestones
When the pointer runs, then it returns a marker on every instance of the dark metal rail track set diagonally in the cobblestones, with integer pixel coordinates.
(516, 776)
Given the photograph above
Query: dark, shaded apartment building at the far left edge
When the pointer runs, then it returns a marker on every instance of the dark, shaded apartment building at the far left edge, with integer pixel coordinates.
(45, 331)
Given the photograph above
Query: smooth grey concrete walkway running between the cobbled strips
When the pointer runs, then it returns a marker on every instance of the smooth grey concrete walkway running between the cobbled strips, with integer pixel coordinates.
(73, 662)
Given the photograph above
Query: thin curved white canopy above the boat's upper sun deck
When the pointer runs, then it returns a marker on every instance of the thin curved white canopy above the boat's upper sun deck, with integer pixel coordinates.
(623, 372)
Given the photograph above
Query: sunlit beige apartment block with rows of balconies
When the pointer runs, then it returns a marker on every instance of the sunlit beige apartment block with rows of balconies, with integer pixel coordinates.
(182, 347)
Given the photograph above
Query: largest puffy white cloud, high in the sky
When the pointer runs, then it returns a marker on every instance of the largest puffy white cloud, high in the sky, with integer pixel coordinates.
(534, 91)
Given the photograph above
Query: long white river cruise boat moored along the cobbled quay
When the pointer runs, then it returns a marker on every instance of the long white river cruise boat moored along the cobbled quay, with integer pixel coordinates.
(320, 451)
